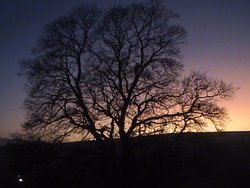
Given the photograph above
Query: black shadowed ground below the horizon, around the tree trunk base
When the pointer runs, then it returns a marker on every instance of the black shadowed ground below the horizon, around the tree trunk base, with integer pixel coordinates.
(207, 160)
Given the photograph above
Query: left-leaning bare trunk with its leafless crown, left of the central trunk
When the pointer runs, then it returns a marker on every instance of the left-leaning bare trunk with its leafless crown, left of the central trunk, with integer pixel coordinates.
(56, 106)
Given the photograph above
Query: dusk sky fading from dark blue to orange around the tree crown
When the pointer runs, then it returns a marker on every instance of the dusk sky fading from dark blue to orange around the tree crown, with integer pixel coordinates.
(218, 43)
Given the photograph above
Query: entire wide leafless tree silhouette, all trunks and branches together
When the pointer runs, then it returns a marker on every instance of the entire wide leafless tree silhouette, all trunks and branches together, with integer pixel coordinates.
(117, 74)
